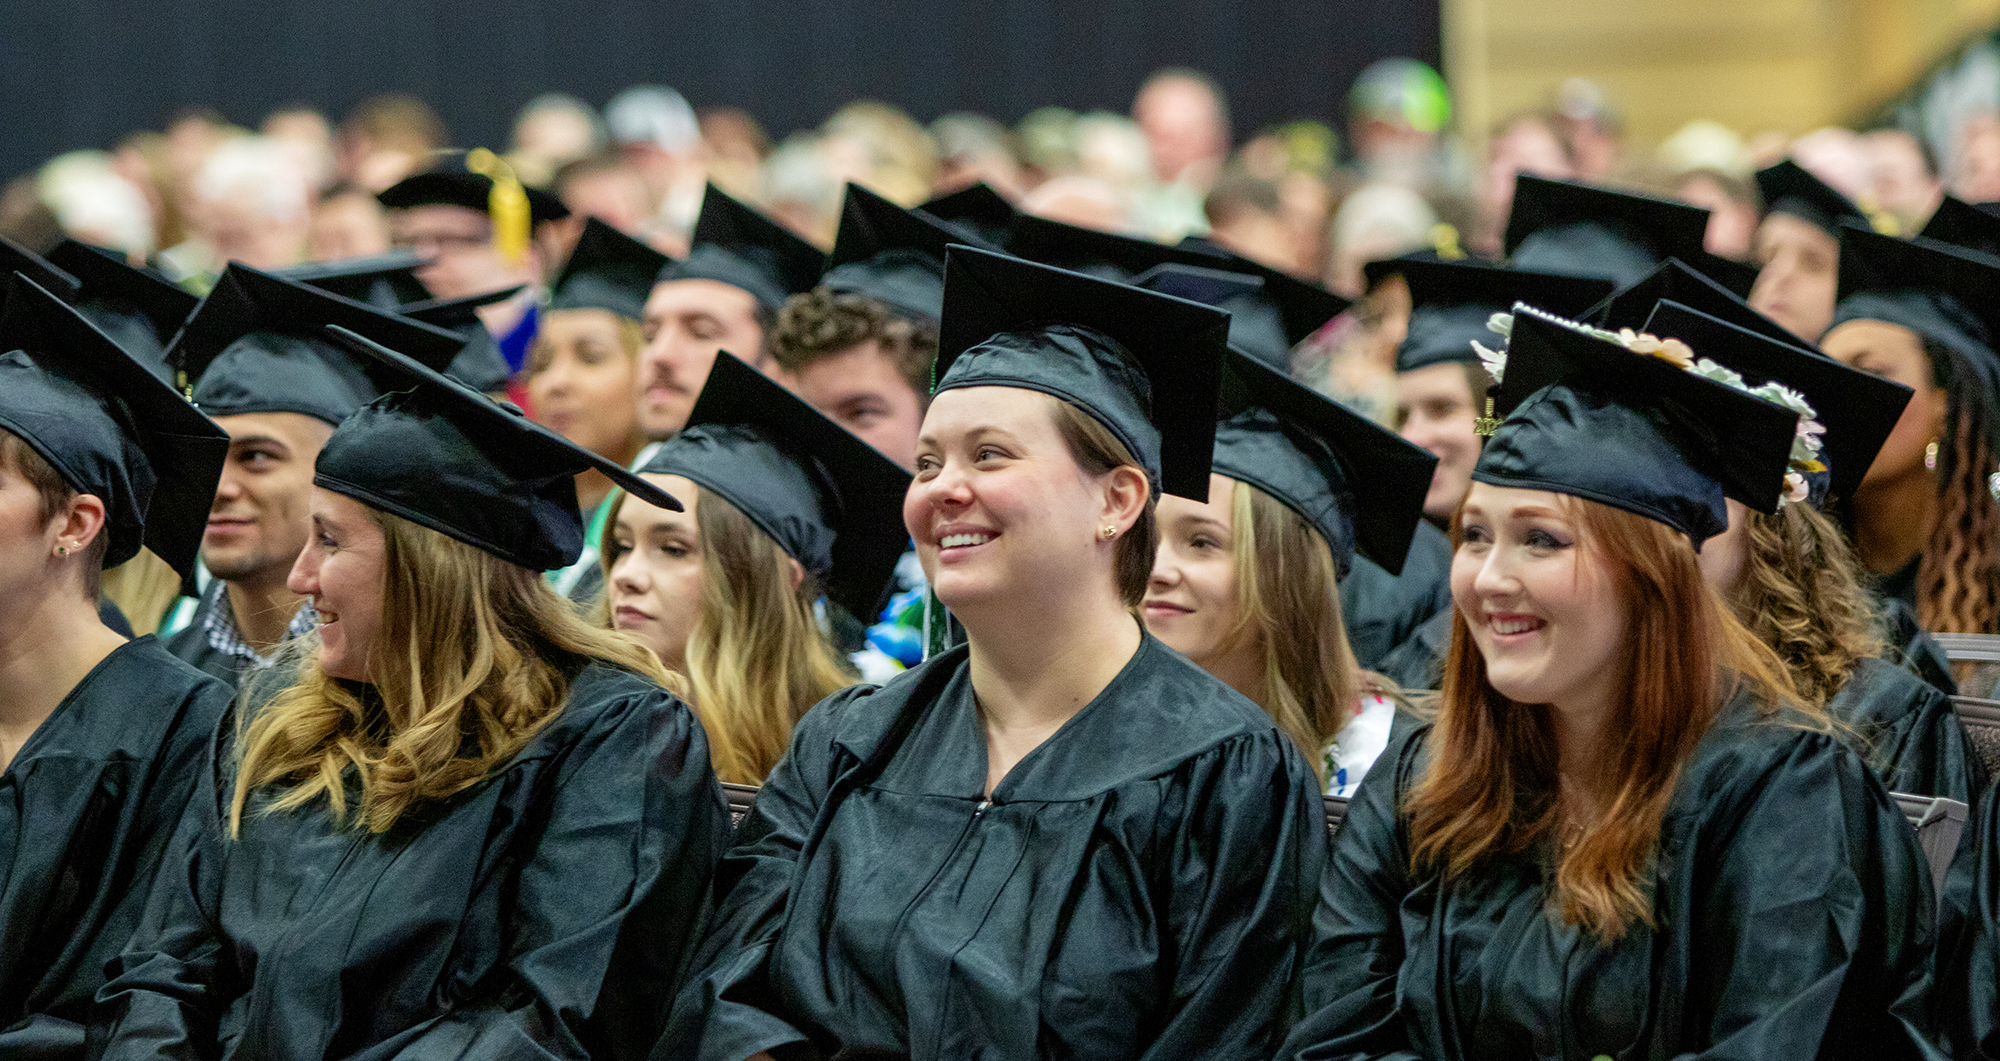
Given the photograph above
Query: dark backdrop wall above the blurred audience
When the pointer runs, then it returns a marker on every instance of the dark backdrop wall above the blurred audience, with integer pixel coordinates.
(85, 73)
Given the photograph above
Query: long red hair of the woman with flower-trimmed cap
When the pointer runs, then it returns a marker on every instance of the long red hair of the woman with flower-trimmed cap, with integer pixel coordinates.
(1491, 788)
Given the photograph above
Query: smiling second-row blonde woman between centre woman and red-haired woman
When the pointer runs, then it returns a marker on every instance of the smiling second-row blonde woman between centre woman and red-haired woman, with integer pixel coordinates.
(1247, 584)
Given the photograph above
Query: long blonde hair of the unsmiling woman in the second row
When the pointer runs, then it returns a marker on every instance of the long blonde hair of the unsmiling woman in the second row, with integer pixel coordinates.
(757, 656)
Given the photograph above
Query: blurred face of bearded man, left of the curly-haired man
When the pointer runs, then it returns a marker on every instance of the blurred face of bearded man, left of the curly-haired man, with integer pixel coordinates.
(687, 323)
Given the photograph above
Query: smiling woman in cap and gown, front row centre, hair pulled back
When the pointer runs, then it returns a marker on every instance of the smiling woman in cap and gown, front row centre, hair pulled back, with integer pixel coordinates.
(1061, 840)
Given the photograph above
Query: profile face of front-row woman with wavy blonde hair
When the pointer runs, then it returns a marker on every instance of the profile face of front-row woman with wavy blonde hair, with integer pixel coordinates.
(343, 570)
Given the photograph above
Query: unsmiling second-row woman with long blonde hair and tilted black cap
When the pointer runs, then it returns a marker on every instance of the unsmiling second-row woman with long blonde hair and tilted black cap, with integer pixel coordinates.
(781, 507)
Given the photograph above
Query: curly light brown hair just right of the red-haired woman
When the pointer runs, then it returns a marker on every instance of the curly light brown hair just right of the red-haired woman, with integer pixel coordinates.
(1803, 596)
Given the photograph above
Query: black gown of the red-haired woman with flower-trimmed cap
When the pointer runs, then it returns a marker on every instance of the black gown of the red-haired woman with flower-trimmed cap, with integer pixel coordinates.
(1793, 904)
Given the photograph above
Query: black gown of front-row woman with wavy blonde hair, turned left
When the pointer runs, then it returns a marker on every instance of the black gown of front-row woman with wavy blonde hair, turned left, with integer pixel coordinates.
(539, 914)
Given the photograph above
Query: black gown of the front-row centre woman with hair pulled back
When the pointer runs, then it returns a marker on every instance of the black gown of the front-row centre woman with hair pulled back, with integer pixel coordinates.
(1139, 888)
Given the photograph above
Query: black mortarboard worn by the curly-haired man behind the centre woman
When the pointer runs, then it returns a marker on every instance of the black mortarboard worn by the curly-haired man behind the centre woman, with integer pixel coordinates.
(893, 255)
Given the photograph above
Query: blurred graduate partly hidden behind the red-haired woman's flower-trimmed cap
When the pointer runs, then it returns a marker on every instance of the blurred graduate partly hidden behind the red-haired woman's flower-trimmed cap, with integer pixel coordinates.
(1441, 391)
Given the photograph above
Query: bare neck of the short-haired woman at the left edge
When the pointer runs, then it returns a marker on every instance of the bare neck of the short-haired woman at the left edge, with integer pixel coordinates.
(47, 648)
